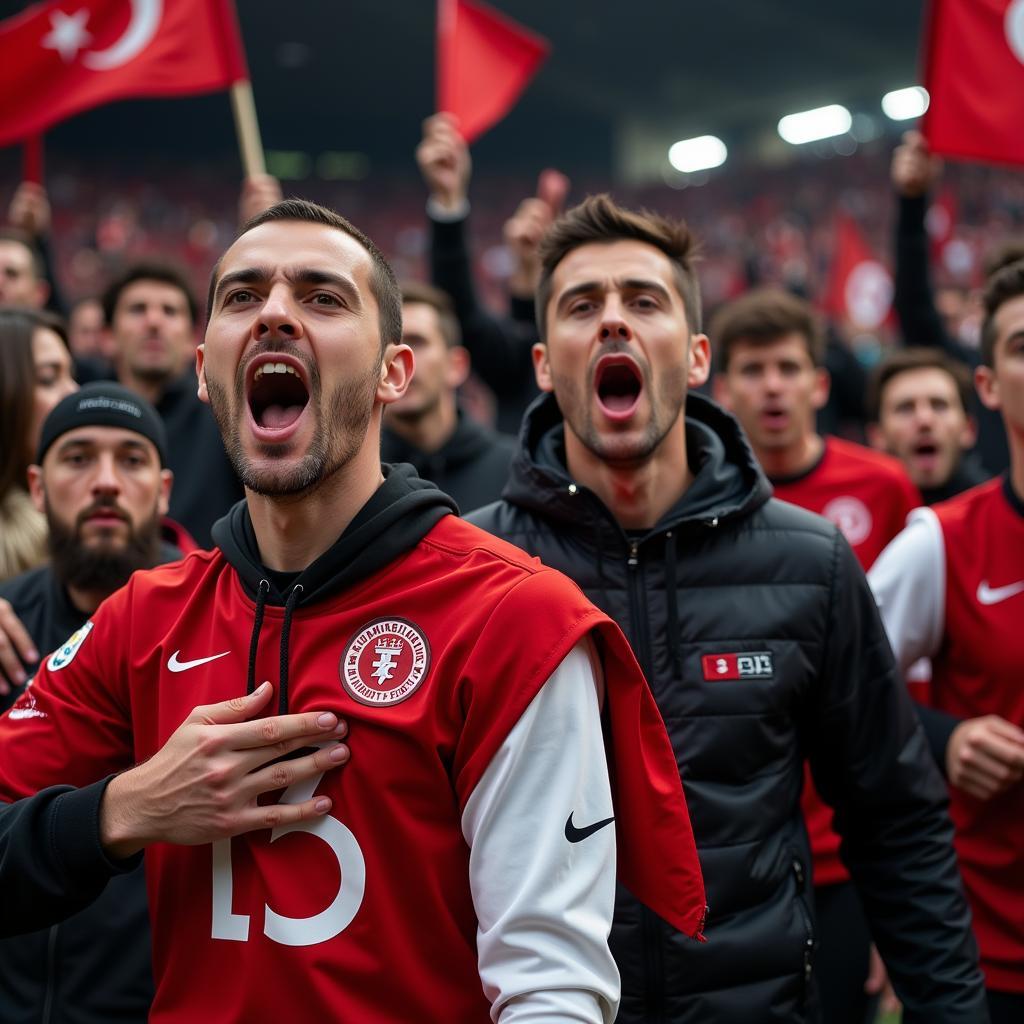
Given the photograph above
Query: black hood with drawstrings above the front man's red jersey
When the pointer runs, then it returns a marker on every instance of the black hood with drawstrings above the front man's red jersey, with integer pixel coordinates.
(398, 517)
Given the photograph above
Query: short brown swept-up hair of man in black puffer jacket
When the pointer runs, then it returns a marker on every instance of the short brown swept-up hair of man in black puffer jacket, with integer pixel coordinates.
(601, 220)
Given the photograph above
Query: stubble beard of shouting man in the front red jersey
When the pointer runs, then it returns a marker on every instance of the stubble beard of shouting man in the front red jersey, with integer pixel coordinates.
(338, 436)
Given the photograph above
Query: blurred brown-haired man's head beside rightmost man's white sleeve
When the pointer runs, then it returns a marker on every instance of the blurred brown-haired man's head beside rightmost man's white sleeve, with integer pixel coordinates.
(920, 409)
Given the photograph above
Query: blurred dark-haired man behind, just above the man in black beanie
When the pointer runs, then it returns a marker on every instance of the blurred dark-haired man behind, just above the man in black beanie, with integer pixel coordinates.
(151, 316)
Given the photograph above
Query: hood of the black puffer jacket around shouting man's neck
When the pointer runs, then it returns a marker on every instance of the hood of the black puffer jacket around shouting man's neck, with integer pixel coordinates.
(729, 483)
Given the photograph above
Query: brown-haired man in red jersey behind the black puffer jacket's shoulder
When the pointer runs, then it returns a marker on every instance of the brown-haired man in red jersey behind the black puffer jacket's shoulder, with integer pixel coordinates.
(770, 348)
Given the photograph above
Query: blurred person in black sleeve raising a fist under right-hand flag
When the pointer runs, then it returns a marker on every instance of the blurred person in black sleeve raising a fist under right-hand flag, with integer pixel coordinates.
(915, 175)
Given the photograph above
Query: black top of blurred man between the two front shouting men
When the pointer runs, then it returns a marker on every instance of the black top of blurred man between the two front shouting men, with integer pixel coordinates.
(473, 465)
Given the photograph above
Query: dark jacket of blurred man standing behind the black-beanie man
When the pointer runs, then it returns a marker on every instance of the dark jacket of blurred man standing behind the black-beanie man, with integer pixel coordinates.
(205, 485)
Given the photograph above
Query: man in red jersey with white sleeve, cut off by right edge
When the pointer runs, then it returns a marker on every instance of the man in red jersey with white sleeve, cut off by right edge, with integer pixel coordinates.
(952, 588)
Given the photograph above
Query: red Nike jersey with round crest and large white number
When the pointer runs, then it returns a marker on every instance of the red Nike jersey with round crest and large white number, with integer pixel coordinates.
(365, 915)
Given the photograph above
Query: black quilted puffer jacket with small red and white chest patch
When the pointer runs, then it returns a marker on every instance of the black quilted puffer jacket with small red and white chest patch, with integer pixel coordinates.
(731, 571)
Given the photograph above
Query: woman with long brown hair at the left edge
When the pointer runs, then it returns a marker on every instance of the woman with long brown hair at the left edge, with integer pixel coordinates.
(35, 375)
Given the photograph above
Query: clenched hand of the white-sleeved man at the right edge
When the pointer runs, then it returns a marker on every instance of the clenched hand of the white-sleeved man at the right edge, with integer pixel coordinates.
(986, 756)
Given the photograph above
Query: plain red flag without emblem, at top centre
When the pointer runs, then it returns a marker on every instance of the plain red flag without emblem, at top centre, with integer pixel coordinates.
(485, 61)
